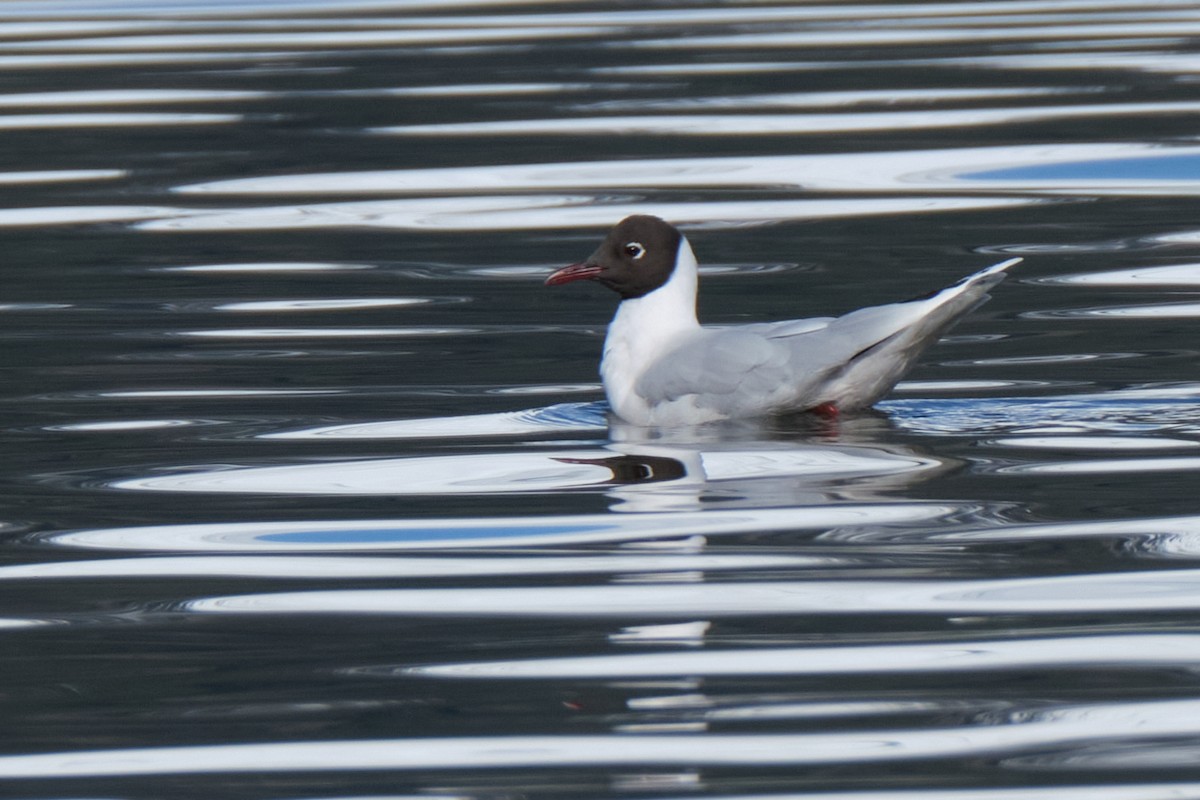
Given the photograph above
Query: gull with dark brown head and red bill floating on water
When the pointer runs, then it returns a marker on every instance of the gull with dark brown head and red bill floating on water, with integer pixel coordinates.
(663, 369)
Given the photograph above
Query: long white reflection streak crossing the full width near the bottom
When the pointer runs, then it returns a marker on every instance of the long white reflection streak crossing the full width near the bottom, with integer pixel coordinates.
(1063, 730)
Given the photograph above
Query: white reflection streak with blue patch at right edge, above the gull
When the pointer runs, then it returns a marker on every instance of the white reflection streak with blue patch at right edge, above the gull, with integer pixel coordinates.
(1117, 167)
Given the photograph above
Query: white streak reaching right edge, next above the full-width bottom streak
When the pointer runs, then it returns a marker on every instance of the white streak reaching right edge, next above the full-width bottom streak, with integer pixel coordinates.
(1167, 651)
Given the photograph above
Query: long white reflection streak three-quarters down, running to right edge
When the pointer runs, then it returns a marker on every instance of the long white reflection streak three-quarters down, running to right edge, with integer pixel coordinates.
(1123, 593)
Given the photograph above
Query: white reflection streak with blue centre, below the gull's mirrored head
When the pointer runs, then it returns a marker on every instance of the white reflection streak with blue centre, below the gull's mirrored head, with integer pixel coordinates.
(346, 536)
